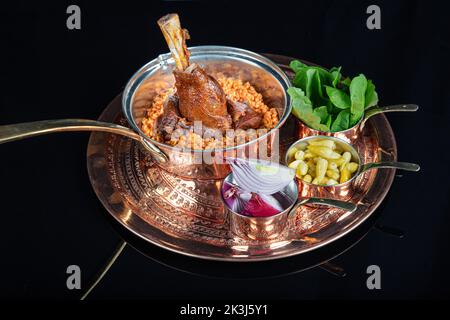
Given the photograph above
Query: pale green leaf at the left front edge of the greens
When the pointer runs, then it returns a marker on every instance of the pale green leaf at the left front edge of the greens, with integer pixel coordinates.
(302, 109)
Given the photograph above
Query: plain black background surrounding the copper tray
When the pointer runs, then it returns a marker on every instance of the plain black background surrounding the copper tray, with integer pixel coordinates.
(50, 217)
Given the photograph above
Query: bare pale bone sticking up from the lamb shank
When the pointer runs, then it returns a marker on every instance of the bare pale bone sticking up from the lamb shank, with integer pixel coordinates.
(176, 39)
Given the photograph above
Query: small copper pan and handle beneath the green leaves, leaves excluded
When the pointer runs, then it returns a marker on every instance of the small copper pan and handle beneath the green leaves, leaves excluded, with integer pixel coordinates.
(351, 135)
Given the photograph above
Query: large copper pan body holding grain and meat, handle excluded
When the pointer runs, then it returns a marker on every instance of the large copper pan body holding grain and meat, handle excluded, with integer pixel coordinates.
(267, 78)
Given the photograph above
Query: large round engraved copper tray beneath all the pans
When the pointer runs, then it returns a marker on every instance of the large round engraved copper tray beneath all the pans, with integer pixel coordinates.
(187, 216)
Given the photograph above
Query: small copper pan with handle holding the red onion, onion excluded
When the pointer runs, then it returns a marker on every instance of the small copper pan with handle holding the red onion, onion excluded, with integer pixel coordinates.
(274, 227)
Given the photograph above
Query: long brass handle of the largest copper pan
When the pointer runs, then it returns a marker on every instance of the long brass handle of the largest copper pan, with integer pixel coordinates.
(13, 132)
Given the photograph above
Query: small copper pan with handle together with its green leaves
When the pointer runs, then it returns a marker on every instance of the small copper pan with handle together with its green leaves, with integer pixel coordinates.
(329, 104)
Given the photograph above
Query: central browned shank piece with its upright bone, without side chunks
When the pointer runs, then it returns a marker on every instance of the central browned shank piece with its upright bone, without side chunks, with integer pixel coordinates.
(200, 97)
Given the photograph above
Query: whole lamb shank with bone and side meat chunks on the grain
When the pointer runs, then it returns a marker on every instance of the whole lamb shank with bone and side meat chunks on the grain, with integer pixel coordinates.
(198, 96)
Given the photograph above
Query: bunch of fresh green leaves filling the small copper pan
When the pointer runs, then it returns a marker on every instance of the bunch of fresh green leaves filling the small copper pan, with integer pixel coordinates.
(326, 101)
